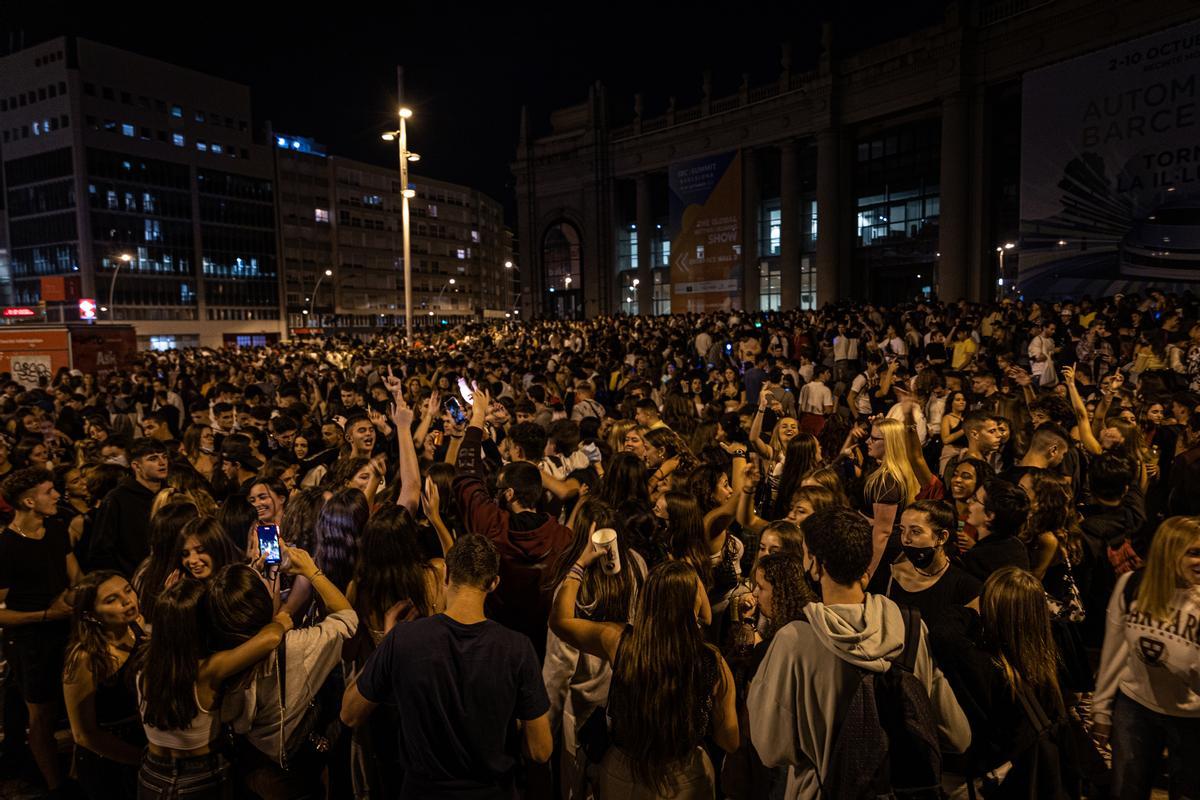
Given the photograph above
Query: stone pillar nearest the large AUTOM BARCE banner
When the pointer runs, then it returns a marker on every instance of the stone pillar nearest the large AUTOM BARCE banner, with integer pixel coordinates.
(953, 236)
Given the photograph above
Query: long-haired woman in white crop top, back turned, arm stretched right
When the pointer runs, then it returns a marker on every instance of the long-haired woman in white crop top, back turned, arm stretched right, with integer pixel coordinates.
(179, 689)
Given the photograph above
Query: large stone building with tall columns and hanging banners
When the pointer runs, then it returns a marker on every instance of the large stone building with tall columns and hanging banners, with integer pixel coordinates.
(885, 175)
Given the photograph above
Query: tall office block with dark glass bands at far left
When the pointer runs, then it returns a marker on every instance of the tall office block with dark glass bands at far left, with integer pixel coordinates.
(137, 184)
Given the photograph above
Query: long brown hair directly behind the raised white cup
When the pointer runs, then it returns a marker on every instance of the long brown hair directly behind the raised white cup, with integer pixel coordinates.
(603, 597)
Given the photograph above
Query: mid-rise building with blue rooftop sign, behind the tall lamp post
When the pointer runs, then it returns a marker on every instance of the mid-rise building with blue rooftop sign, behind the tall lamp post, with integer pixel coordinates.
(344, 218)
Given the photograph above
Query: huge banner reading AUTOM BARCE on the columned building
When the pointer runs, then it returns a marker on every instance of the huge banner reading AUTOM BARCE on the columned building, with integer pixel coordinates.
(1111, 170)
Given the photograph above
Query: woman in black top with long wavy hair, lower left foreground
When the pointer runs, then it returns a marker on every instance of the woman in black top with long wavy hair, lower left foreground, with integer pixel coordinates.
(106, 629)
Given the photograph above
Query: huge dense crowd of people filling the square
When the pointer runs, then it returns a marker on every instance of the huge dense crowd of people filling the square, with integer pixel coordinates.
(938, 550)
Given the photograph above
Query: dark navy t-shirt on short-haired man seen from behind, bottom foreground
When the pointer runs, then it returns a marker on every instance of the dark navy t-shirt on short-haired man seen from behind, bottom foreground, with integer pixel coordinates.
(457, 690)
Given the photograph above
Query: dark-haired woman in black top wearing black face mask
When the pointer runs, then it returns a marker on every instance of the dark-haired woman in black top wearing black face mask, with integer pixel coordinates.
(923, 578)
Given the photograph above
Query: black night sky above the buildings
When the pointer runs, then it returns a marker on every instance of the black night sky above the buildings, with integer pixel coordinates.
(329, 70)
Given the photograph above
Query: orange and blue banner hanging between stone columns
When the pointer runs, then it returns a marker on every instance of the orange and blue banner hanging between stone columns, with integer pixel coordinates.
(706, 221)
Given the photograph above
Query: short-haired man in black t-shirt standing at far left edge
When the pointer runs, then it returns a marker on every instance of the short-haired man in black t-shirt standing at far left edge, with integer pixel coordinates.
(37, 568)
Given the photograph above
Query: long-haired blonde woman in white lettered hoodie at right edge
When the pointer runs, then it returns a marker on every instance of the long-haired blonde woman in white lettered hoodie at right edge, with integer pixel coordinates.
(1148, 689)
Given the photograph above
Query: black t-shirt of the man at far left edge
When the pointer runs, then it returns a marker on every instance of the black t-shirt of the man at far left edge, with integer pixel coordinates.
(34, 572)
